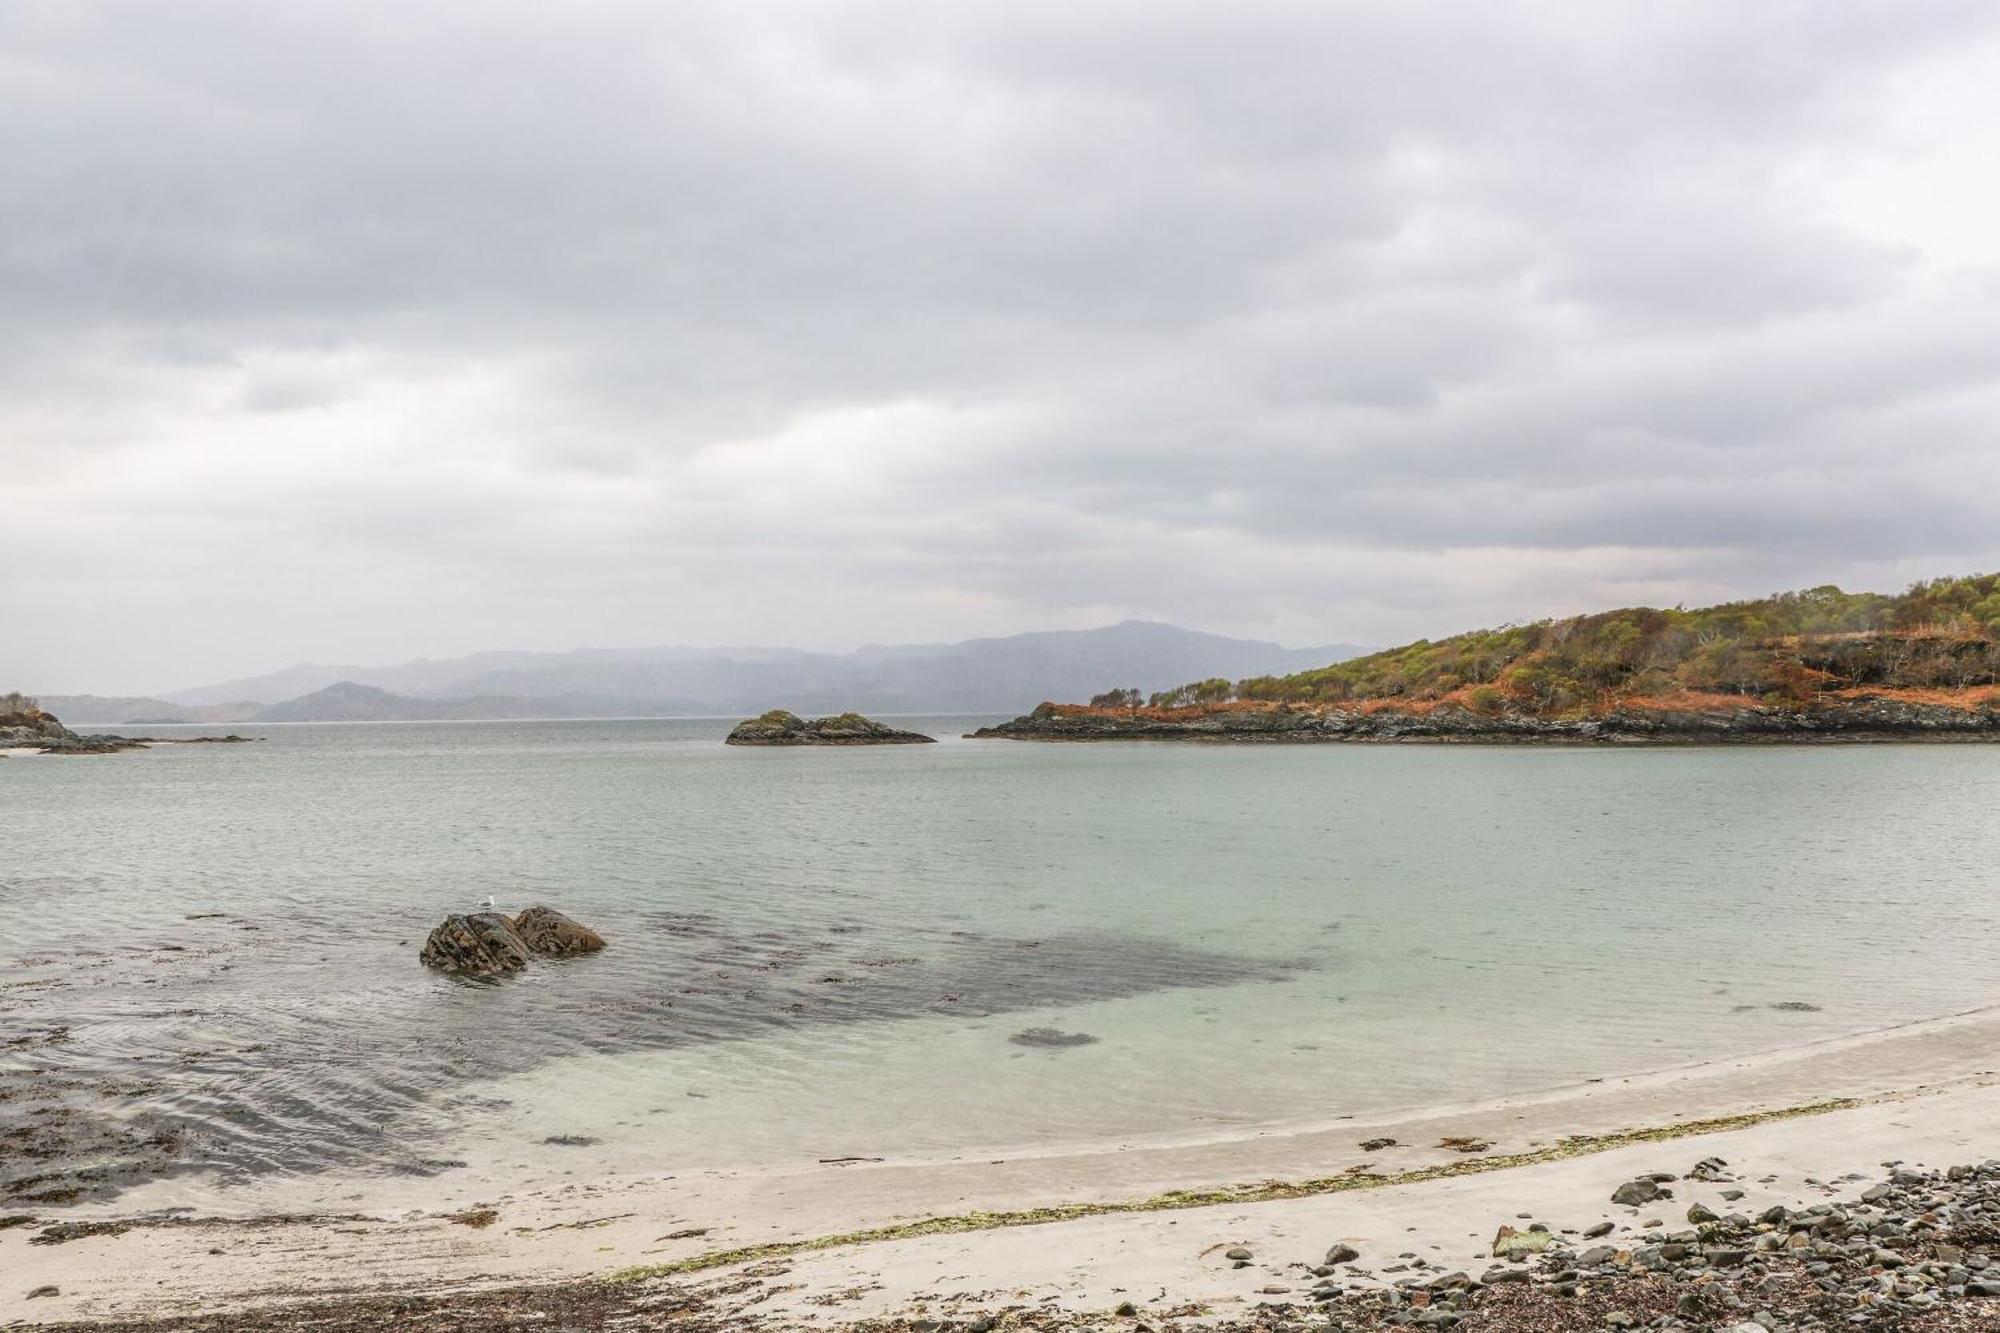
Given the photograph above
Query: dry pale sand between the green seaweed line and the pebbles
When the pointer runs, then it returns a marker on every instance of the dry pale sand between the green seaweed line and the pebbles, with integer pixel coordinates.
(1163, 1260)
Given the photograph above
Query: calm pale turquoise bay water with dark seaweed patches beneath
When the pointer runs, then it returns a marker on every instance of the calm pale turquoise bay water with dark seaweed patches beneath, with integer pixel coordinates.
(829, 952)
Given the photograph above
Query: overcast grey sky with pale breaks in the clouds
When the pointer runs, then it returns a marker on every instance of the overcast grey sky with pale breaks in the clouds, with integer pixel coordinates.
(371, 331)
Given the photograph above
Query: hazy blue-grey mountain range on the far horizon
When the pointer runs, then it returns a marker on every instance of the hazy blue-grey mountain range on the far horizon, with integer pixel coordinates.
(981, 676)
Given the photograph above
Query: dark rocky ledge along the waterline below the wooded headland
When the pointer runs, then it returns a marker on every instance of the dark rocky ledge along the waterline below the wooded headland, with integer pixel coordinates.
(1839, 720)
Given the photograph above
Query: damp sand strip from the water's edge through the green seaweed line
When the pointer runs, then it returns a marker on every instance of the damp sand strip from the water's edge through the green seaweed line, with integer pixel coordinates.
(857, 1216)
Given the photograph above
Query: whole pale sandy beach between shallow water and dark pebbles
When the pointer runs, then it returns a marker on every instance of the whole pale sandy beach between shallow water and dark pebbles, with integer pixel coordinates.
(1077, 1234)
